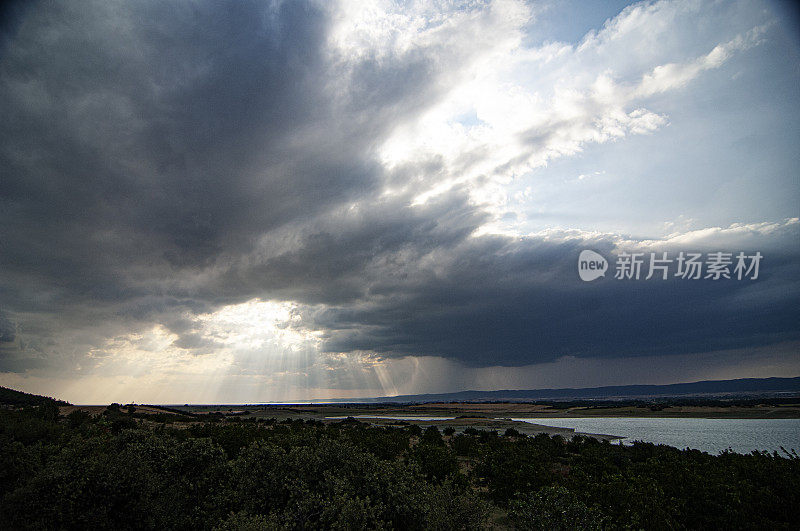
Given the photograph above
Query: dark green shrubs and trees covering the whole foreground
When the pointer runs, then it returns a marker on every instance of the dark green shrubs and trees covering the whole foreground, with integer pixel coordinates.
(121, 470)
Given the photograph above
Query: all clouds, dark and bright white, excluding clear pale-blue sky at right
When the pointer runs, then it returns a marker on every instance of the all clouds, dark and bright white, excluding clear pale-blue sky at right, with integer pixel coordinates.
(164, 164)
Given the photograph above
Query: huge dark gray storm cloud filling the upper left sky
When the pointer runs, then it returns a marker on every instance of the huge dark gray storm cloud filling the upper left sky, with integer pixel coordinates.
(145, 141)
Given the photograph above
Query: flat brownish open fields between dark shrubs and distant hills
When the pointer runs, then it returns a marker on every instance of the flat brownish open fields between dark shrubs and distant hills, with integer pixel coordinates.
(458, 416)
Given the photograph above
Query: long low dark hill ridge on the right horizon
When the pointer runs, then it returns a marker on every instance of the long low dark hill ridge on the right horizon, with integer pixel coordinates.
(744, 386)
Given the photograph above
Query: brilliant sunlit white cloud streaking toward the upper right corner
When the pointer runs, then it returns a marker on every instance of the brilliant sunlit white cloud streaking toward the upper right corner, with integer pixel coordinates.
(524, 107)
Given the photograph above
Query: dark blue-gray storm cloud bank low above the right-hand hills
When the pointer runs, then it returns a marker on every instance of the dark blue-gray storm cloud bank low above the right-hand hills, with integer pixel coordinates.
(509, 302)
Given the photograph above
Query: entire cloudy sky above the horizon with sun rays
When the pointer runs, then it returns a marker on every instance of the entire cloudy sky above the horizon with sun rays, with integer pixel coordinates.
(228, 202)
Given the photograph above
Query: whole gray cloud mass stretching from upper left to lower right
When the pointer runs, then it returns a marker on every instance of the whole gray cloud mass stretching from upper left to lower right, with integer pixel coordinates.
(163, 160)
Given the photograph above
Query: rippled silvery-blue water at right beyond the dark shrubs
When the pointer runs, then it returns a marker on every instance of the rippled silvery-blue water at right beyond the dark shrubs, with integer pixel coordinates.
(708, 435)
